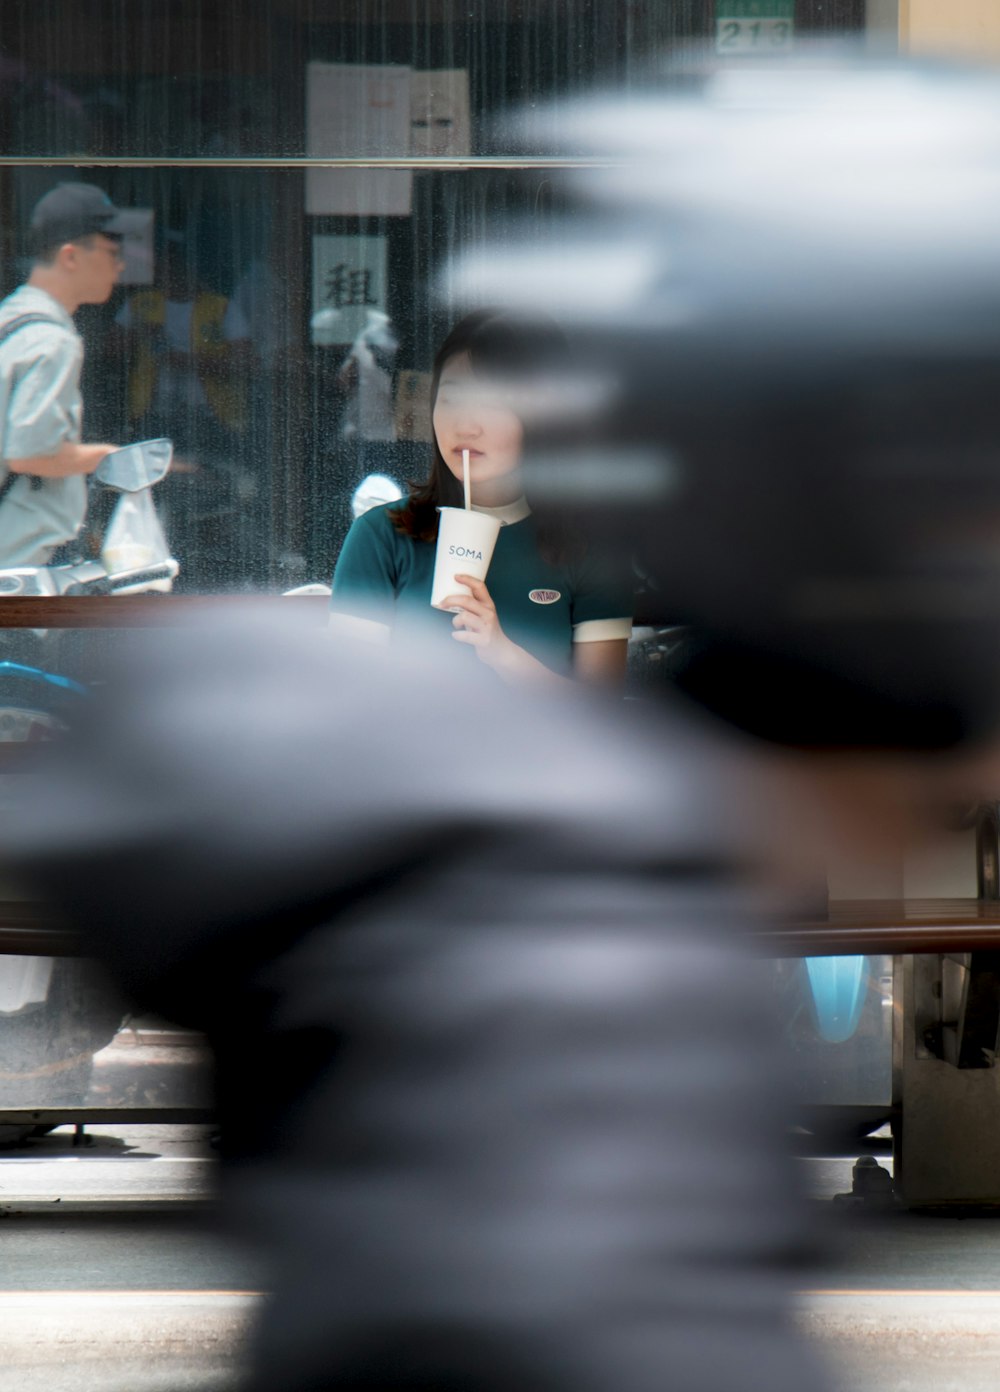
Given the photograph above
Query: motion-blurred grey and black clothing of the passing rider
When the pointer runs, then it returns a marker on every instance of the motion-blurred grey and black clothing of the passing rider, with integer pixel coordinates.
(498, 1086)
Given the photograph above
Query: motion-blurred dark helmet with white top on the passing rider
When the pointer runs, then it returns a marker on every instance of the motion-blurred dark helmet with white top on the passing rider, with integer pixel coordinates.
(788, 326)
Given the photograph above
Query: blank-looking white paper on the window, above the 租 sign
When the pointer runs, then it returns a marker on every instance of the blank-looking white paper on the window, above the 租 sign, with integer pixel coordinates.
(357, 112)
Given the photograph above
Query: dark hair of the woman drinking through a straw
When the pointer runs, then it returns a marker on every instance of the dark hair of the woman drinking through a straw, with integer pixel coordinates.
(501, 346)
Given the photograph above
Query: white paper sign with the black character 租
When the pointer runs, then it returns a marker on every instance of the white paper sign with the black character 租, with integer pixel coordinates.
(349, 279)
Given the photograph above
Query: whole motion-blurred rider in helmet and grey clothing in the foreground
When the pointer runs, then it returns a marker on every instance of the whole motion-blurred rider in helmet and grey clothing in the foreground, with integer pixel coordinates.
(498, 1085)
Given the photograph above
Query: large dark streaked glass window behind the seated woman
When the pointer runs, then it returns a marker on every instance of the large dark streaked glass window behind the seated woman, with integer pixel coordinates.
(299, 172)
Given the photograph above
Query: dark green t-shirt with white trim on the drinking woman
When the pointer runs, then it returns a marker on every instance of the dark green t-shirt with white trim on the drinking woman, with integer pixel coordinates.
(385, 577)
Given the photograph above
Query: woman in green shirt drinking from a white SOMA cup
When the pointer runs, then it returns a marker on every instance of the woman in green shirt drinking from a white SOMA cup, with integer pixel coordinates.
(547, 610)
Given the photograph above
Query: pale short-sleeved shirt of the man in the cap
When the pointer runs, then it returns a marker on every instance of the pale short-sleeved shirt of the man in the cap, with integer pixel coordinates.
(41, 410)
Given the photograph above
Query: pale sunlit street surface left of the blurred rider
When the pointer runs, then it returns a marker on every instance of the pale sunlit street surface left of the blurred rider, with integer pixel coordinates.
(115, 1274)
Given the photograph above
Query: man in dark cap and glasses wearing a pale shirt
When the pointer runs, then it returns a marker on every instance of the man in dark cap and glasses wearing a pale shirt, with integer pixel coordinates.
(76, 244)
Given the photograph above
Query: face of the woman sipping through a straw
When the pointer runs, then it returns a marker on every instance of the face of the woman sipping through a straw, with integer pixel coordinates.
(471, 414)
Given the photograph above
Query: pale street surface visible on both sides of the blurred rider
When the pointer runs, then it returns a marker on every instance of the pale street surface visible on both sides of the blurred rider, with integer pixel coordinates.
(116, 1277)
